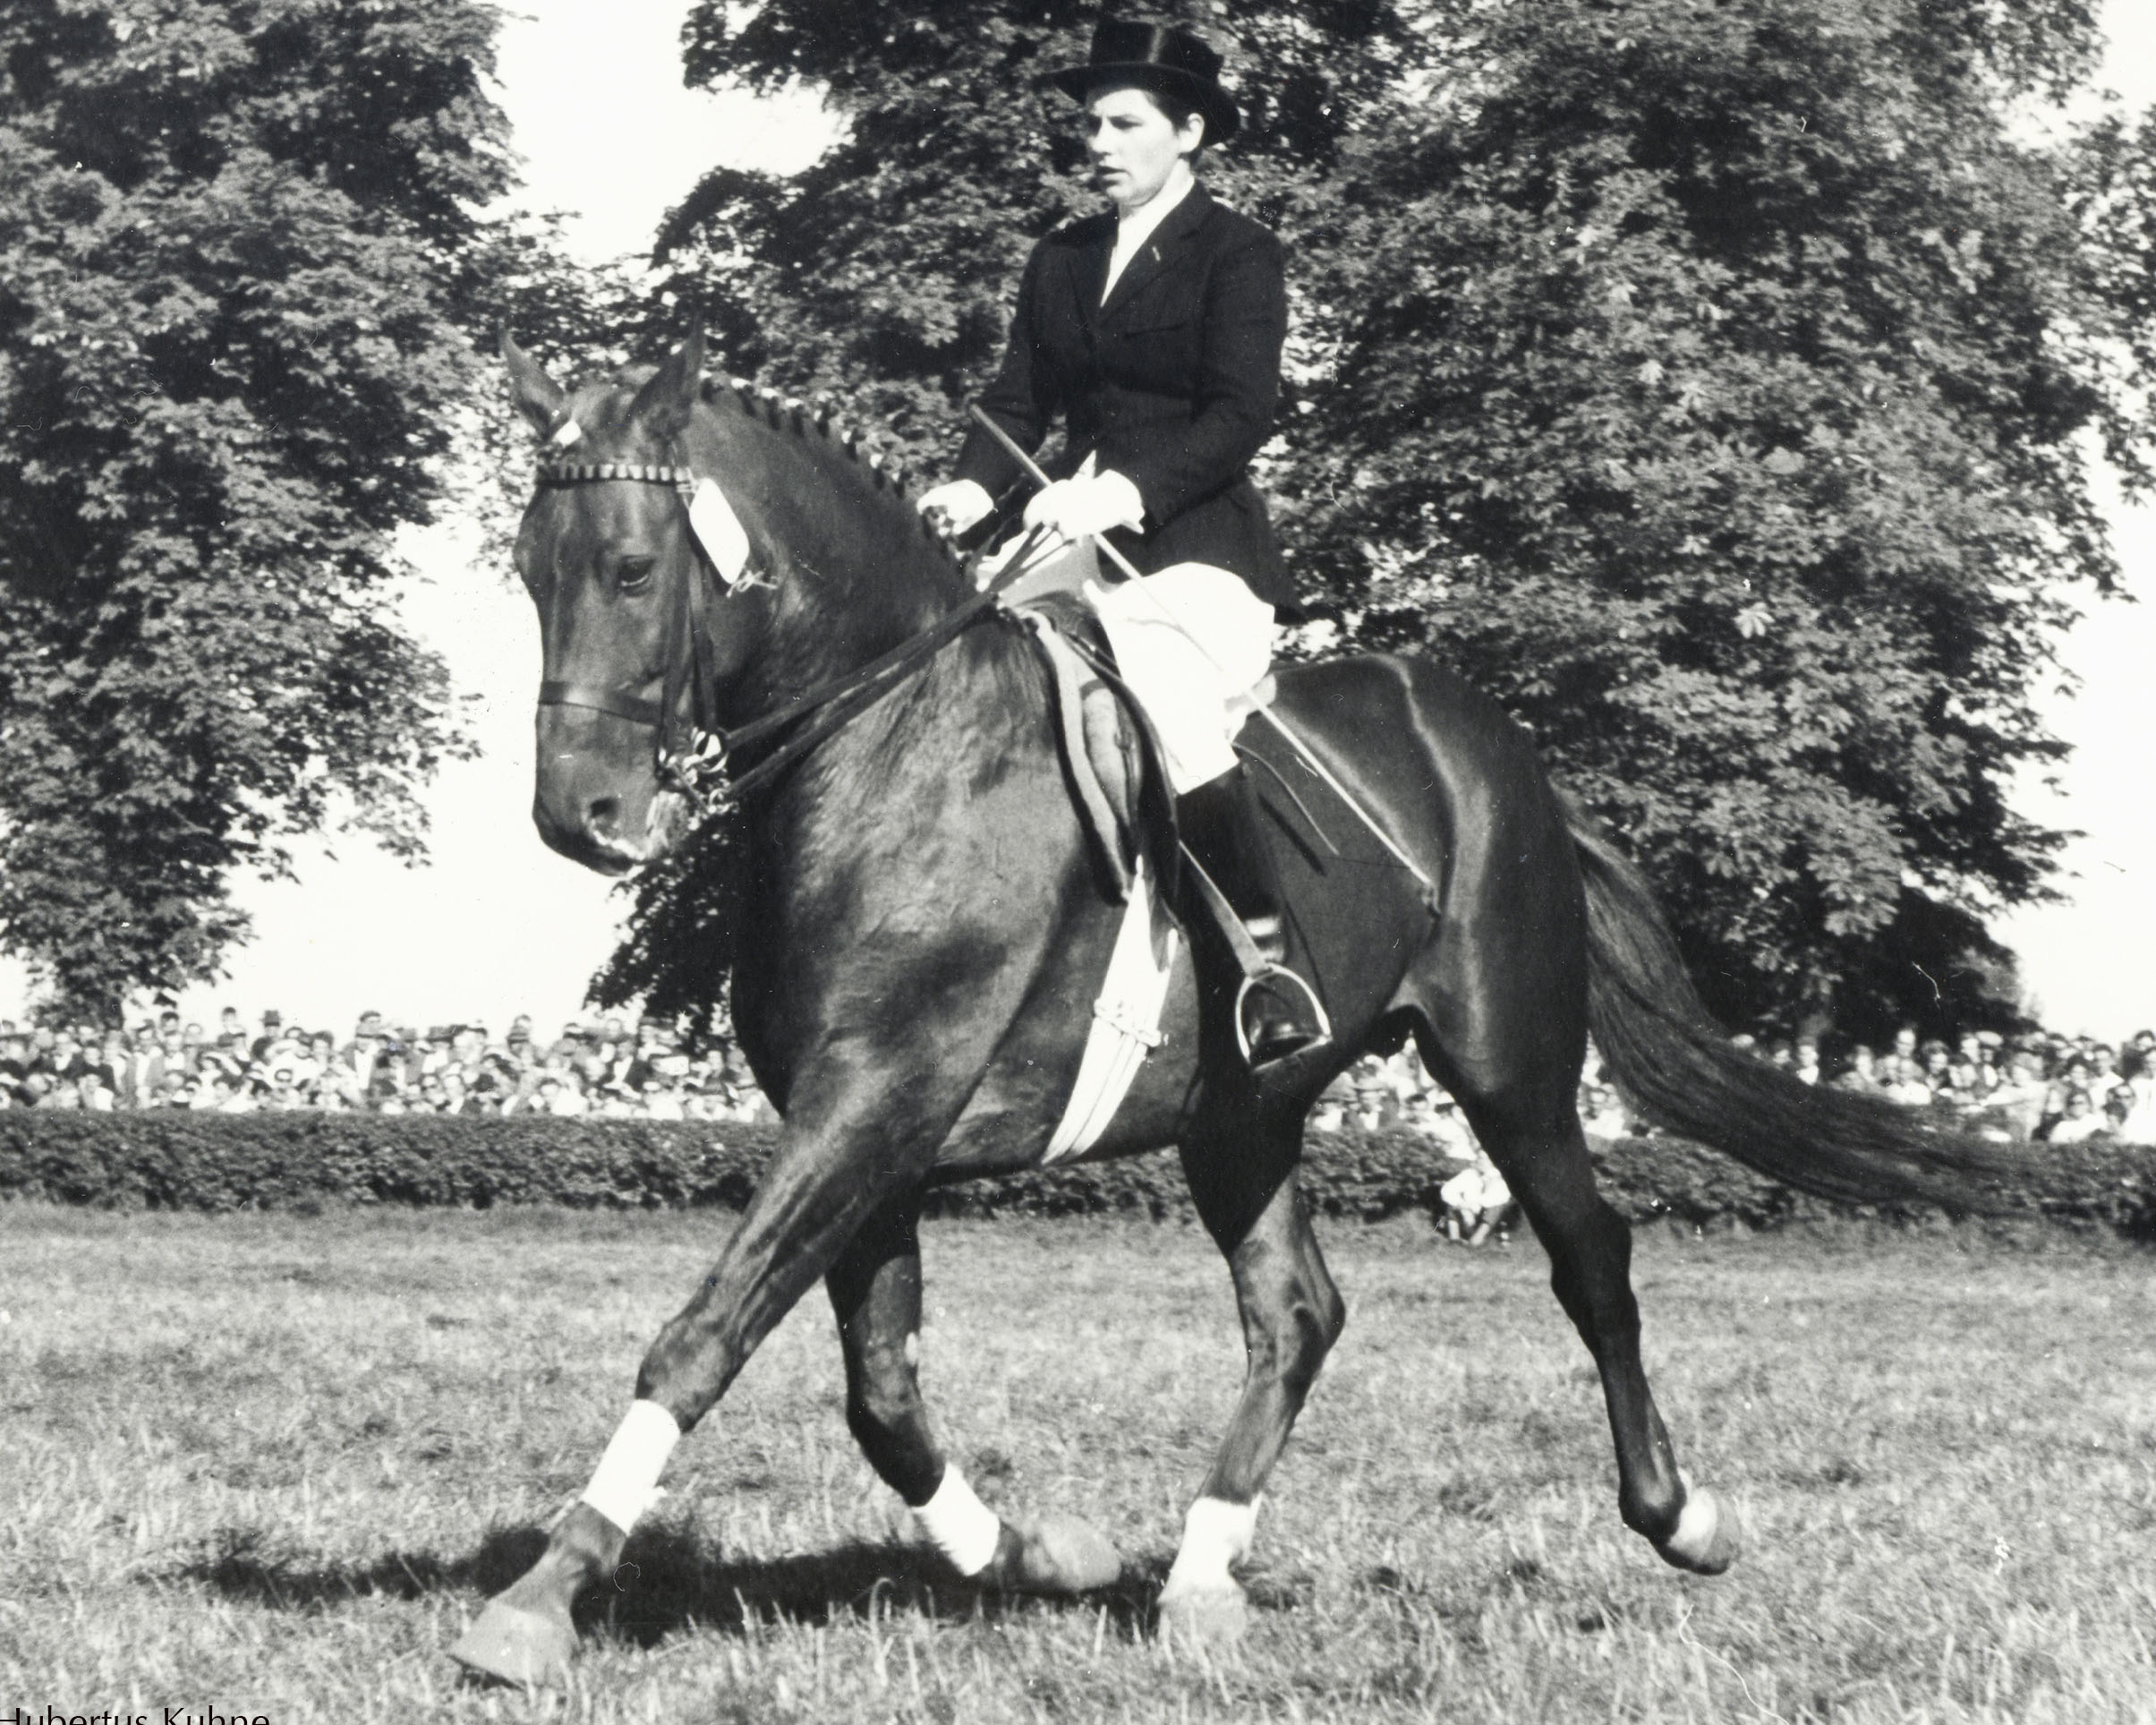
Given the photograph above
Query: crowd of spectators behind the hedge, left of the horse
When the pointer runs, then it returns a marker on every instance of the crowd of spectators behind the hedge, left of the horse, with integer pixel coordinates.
(611, 1068)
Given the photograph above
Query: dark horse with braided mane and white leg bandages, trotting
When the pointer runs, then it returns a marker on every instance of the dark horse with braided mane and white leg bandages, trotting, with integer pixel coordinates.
(924, 937)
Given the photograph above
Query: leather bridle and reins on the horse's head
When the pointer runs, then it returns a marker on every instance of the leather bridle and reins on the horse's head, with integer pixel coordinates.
(704, 754)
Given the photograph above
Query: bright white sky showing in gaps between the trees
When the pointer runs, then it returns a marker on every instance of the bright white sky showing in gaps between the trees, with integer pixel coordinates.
(497, 924)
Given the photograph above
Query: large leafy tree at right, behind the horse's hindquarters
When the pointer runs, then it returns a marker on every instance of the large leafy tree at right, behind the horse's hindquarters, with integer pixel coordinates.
(1713, 383)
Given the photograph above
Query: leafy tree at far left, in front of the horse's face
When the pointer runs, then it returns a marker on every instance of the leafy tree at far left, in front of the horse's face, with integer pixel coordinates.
(240, 238)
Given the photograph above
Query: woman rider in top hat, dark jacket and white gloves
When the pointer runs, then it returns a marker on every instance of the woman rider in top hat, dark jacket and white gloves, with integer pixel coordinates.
(1157, 335)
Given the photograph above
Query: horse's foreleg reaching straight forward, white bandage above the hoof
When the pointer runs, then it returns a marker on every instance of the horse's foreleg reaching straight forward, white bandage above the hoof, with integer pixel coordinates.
(816, 1196)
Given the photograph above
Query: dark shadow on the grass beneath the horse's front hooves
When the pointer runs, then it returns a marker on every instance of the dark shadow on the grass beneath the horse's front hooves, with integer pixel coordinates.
(667, 1584)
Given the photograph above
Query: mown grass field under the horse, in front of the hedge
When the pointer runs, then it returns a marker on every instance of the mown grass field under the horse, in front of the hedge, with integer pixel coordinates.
(271, 1465)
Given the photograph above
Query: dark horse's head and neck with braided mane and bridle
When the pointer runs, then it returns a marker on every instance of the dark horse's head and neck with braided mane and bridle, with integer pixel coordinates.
(695, 553)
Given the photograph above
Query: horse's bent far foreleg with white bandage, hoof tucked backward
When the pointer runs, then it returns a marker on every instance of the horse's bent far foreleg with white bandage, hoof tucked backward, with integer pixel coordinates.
(876, 1295)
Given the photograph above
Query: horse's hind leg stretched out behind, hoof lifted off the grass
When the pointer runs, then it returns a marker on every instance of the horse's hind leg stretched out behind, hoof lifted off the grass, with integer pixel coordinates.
(1538, 1146)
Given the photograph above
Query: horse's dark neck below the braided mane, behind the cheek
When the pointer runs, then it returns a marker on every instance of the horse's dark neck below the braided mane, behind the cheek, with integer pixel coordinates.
(855, 572)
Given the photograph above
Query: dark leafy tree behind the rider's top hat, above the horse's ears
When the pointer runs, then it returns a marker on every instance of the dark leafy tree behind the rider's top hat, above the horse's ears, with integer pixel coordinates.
(887, 271)
